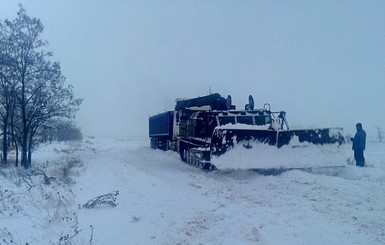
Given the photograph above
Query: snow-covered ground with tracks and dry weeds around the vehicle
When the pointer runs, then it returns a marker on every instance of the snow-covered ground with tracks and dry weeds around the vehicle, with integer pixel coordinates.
(164, 201)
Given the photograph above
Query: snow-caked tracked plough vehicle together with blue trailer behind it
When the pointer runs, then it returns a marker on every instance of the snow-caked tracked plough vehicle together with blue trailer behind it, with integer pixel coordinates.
(211, 133)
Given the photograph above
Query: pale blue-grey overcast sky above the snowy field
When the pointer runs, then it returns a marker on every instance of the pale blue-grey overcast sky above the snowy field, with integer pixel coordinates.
(323, 62)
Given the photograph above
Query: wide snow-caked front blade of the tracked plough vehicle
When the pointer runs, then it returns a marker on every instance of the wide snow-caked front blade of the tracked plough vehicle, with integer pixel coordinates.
(272, 149)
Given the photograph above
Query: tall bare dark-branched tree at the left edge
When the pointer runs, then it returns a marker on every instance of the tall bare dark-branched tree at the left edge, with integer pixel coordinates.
(40, 90)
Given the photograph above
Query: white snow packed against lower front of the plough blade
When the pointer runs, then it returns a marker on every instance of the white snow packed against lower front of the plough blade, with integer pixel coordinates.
(264, 156)
